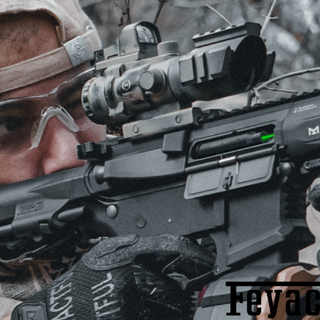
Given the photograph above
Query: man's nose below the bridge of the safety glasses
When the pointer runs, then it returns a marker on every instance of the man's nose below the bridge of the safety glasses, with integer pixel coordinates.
(58, 148)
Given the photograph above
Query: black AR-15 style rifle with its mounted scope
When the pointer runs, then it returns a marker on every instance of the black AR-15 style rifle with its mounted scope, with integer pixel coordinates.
(235, 180)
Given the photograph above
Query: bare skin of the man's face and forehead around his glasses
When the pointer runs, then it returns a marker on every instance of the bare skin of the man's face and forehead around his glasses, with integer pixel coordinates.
(22, 39)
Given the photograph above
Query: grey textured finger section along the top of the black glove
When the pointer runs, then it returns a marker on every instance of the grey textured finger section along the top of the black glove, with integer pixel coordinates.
(154, 253)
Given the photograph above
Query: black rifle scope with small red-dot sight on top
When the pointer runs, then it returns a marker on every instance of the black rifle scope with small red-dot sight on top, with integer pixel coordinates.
(143, 77)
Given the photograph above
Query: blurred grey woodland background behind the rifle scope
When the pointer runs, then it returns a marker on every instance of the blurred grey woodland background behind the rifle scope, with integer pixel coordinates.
(293, 32)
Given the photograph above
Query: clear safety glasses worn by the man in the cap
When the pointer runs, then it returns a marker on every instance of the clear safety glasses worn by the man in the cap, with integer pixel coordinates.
(23, 120)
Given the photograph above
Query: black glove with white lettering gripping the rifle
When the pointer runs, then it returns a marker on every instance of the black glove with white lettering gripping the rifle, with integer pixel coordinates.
(124, 278)
